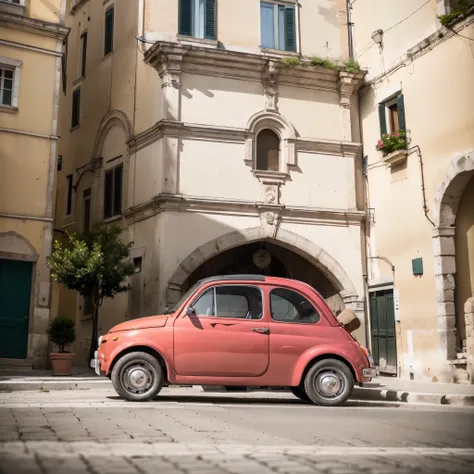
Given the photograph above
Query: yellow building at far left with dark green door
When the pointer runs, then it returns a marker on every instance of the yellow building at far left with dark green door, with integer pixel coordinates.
(31, 57)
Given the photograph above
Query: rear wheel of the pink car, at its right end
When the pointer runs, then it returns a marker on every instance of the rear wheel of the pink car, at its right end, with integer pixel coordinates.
(329, 382)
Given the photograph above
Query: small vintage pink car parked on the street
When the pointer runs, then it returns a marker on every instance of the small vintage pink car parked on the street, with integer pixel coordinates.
(240, 330)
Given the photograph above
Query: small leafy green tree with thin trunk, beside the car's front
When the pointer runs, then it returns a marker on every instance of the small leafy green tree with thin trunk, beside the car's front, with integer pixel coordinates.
(96, 264)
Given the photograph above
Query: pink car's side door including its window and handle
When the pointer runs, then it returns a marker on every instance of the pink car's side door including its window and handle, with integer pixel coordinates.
(223, 335)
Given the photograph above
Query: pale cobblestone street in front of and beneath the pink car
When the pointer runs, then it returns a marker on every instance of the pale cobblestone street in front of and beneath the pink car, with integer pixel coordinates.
(189, 431)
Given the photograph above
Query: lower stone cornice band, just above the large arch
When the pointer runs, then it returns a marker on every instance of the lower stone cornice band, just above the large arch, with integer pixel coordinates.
(297, 214)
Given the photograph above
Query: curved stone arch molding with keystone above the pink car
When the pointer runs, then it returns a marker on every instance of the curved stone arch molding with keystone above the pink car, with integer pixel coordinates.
(294, 242)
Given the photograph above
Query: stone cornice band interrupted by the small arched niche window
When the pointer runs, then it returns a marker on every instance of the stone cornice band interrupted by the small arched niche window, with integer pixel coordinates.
(233, 135)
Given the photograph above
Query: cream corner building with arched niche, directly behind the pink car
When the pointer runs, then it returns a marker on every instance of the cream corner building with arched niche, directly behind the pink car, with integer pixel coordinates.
(204, 131)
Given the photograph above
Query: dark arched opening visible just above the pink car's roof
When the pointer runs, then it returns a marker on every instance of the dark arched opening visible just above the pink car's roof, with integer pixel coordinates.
(270, 259)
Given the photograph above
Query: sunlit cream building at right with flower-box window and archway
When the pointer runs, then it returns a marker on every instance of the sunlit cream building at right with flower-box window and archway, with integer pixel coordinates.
(420, 225)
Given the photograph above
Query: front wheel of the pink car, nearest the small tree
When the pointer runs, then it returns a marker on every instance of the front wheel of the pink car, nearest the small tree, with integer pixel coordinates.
(137, 377)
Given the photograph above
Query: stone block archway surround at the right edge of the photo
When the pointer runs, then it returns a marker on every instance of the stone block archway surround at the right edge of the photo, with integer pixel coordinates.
(447, 201)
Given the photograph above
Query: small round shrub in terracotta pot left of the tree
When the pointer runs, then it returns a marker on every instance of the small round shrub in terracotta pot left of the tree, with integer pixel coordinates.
(62, 333)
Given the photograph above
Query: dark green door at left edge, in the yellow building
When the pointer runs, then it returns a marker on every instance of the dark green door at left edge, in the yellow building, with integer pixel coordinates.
(15, 289)
